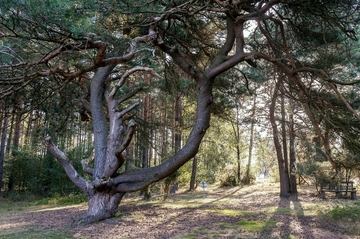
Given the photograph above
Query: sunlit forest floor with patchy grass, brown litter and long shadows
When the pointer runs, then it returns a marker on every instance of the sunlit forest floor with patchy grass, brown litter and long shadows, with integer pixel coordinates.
(249, 212)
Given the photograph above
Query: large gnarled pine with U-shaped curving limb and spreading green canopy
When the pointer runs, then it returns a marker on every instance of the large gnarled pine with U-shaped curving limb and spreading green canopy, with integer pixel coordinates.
(95, 41)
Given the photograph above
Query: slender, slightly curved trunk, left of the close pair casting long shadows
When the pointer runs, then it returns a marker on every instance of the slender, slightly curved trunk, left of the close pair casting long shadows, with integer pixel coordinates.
(284, 180)
